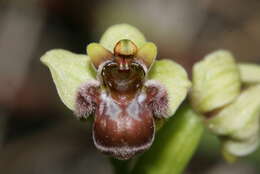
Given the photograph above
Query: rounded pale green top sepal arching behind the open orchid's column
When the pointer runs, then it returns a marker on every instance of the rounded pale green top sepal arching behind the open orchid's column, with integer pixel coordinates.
(118, 32)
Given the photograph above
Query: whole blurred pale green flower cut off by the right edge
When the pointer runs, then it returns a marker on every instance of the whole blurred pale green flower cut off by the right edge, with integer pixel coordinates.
(229, 112)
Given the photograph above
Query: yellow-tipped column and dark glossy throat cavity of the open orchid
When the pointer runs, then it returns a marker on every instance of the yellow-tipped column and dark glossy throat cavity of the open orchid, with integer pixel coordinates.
(122, 76)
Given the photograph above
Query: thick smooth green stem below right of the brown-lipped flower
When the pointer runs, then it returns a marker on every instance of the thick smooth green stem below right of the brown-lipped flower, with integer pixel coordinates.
(174, 144)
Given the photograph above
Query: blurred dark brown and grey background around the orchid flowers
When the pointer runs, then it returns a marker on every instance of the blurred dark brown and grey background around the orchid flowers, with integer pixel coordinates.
(38, 134)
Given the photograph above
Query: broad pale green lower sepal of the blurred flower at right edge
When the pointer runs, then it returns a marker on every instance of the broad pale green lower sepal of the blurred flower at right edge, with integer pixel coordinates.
(239, 119)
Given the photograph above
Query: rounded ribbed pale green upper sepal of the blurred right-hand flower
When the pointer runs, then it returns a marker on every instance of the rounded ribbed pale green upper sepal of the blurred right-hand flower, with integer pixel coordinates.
(216, 81)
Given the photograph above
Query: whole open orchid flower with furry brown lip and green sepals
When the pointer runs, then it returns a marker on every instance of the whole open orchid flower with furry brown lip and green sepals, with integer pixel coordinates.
(122, 86)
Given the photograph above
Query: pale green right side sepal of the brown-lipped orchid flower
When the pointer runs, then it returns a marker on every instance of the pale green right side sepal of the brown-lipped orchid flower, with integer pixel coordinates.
(174, 78)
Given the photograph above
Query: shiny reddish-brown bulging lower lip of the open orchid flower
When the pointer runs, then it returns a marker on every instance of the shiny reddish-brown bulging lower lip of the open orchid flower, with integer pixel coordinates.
(122, 134)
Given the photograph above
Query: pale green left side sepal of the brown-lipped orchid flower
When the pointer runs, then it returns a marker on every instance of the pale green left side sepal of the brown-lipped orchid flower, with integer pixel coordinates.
(68, 71)
